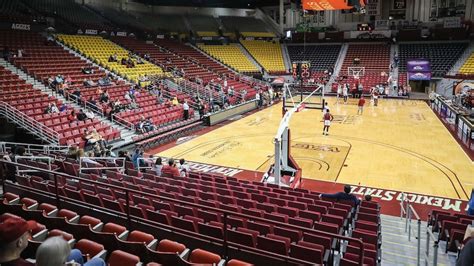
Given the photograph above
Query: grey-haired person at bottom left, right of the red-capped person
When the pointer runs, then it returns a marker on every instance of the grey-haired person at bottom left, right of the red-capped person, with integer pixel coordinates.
(55, 251)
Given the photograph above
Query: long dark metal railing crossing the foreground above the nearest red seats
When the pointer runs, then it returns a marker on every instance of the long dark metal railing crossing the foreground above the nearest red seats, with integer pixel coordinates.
(225, 214)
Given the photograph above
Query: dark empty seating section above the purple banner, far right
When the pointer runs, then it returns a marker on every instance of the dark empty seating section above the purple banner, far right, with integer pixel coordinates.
(442, 56)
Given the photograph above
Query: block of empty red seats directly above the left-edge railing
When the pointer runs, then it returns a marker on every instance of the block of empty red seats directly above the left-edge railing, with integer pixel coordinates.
(32, 102)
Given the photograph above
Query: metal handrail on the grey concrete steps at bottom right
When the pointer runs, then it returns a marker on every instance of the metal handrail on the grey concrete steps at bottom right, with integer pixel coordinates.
(407, 211)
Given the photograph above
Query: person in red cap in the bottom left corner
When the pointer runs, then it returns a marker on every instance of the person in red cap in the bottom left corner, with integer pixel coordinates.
(14, 235)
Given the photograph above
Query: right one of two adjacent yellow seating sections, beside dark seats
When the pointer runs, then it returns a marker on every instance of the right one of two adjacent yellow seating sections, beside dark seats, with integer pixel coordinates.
(267, 54)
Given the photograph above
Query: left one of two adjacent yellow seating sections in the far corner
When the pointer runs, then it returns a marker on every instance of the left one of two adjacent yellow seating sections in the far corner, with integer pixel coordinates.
(230, 55)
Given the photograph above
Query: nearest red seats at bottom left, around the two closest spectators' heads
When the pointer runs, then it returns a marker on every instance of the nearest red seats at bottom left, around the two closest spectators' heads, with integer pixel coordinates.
(111, 241)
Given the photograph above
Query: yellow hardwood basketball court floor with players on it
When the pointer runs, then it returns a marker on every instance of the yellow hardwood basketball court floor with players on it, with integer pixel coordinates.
(399, 145)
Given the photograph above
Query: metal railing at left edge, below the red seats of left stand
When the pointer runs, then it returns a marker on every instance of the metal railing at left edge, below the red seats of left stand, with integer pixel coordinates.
(28, 123)
